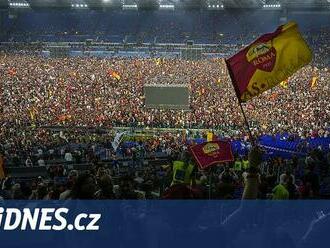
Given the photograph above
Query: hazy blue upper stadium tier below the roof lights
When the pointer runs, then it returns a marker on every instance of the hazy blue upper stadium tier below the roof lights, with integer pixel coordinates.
(232, 26)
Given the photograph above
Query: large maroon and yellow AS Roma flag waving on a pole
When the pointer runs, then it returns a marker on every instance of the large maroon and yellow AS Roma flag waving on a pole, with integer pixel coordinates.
(269, 60)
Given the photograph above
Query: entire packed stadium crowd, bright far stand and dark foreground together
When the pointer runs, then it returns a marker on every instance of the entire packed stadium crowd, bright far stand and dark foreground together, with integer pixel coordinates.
(39, 94)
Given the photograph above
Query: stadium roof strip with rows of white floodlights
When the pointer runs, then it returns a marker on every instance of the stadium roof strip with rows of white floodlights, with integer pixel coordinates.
(165, 4)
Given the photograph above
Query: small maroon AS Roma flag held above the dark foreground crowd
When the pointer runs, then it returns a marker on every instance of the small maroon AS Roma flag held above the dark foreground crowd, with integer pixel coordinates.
(210, 153)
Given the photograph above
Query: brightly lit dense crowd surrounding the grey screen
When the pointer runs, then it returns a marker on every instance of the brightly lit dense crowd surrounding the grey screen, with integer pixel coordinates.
(94, 92)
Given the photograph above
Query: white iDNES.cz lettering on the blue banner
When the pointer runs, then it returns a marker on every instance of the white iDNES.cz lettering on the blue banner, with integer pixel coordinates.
(46, 219)
